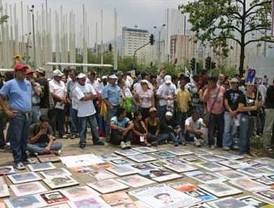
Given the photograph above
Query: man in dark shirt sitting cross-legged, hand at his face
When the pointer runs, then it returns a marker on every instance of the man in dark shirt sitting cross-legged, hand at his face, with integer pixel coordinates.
(41, 139)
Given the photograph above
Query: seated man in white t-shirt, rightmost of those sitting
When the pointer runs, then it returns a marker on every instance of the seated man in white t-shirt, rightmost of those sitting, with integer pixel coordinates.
(195, 129)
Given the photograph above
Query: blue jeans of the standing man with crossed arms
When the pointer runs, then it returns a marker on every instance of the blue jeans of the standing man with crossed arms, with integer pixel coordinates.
(93, 127)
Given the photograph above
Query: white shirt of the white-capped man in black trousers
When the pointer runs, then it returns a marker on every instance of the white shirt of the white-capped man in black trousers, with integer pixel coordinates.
(59, 89)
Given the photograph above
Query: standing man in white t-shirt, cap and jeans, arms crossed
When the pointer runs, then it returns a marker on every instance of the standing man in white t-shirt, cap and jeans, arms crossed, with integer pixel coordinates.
(85, 93)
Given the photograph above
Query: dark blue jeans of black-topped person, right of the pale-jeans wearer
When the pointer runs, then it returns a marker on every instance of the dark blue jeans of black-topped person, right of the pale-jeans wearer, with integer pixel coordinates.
(246, 126)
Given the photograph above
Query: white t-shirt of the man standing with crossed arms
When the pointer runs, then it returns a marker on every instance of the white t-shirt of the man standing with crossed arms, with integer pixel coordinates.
(85, 108)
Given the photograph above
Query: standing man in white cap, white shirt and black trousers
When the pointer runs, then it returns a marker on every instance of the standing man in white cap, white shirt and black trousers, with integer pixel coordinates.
(58, 92)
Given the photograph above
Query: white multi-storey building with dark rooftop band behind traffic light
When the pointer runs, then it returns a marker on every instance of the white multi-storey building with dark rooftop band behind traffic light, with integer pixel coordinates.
(132, 39)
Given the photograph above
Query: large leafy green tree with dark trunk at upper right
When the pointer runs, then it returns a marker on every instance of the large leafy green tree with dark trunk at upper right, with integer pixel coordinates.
(217, 21)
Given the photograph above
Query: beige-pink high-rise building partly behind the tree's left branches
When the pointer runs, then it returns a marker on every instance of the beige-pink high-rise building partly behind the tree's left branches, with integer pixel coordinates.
(182, 48)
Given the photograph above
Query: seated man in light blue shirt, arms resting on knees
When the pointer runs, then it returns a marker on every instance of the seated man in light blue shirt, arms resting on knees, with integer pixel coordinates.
(121, 129)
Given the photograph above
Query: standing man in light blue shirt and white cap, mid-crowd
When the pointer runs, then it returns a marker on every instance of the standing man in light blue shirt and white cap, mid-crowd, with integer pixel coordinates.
(112, 96)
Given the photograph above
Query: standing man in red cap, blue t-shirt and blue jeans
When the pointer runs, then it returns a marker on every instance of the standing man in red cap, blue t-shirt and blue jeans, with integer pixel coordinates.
(18, 90)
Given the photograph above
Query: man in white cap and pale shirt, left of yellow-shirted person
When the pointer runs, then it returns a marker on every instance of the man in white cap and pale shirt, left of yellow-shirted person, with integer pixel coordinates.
(165, 93)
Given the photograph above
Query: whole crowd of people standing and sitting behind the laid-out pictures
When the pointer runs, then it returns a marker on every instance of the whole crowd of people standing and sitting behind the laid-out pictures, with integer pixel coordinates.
(145, 110)
